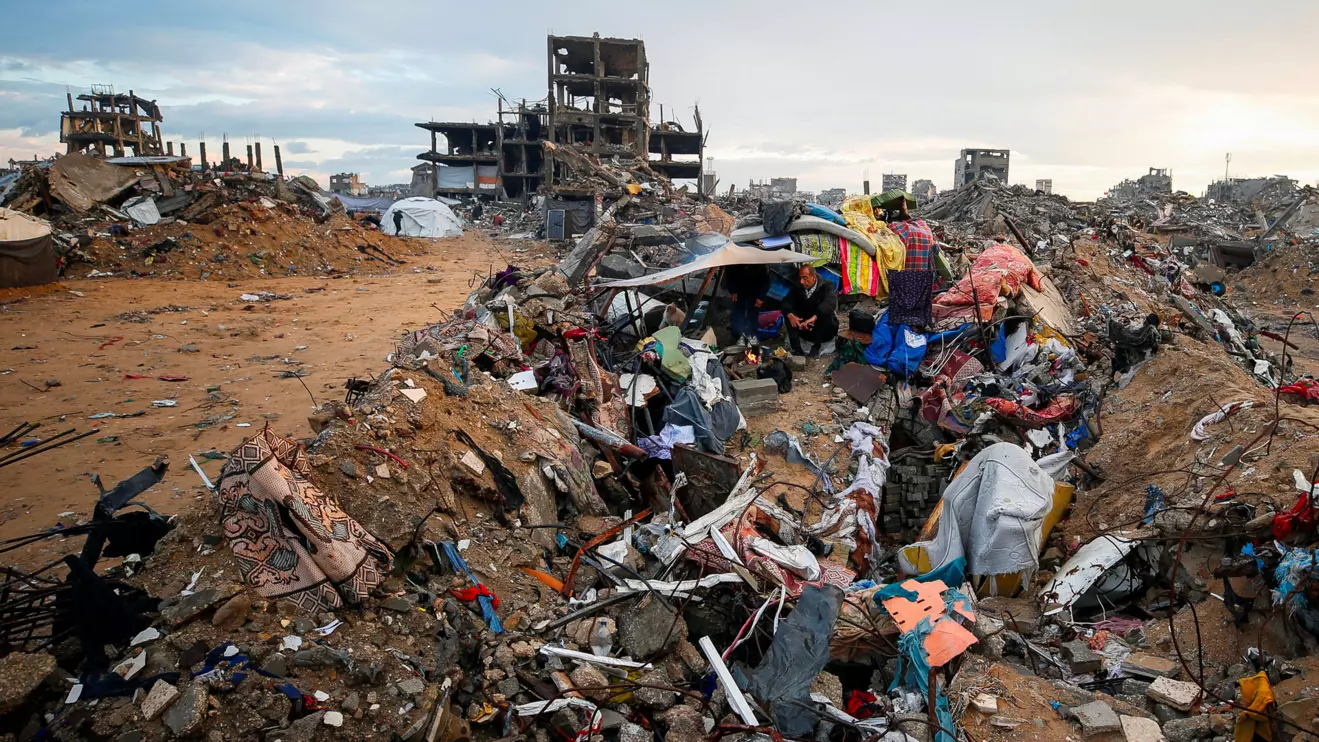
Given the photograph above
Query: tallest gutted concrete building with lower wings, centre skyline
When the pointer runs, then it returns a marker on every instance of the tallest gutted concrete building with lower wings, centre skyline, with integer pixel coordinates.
(598, 102)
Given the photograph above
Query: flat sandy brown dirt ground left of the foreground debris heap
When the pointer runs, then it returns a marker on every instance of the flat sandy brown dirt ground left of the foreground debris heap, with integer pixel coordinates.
(93, 337)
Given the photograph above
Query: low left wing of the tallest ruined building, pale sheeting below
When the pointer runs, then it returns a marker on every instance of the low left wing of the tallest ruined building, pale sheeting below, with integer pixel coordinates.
(466, 159)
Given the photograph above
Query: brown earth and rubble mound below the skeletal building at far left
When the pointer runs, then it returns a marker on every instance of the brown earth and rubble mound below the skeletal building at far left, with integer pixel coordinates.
(159, 217)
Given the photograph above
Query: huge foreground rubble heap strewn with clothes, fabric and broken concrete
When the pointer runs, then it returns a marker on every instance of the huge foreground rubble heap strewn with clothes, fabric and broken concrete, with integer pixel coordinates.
(1076, 501)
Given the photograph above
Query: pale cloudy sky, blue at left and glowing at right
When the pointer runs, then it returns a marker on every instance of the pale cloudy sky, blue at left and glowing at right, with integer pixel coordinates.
(1084, 93)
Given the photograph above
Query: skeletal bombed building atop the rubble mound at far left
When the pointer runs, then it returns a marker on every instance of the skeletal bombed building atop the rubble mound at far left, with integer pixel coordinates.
(111, 125)
